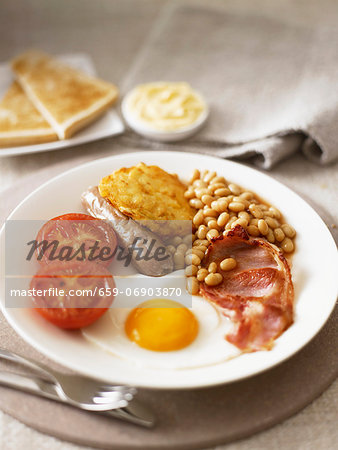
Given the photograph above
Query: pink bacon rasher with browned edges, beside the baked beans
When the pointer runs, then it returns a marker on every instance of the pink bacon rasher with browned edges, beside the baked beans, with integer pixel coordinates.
(257, 295)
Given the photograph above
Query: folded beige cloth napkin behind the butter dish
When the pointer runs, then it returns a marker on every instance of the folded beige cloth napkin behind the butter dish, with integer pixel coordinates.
(271, 85)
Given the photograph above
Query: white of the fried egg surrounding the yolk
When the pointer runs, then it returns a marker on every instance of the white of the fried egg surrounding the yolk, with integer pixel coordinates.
(209, 347)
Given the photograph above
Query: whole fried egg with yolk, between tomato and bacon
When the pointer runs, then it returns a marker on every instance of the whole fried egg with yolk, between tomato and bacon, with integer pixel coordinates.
(164, 333)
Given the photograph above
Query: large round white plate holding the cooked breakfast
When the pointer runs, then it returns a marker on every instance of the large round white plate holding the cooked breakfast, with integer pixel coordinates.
(314, 272)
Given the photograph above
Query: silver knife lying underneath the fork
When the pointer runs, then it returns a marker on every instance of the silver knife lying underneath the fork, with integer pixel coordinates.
(135, 412)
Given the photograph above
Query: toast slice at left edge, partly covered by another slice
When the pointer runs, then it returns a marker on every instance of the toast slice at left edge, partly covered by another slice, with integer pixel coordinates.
(20, 122)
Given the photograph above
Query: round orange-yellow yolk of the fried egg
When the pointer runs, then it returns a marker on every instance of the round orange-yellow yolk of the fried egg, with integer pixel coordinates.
(161, 325)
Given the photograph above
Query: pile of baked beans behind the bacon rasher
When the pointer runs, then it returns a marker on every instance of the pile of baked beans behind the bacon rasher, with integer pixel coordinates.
(222, 206)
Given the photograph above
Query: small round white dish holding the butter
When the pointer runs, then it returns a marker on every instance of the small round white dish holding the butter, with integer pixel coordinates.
(160, 135)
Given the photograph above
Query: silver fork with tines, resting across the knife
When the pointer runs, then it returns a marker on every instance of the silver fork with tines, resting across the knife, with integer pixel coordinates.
(78, 390)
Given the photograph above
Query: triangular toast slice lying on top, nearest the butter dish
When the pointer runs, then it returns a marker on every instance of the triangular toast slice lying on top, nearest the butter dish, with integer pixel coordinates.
(67, 98)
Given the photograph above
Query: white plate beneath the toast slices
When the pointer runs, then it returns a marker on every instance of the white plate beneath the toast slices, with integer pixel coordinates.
(109, 124)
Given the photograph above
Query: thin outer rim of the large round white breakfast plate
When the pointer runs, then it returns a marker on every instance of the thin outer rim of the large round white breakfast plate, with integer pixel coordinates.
(152, 155)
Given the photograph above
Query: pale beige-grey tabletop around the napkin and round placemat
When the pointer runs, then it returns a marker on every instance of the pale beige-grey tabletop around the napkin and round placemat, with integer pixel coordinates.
(112, 32)
